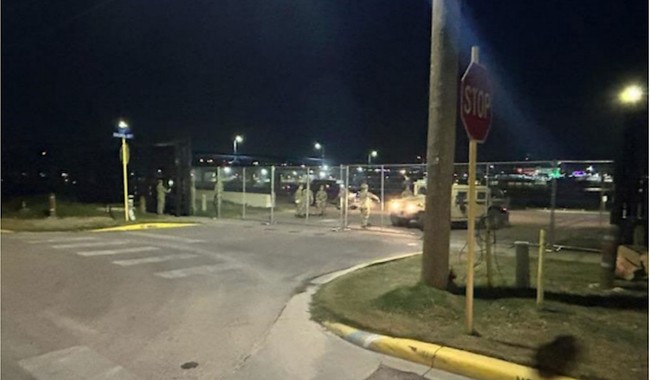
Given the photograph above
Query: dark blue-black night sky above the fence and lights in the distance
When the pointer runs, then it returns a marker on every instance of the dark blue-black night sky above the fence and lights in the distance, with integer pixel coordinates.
(351, 74)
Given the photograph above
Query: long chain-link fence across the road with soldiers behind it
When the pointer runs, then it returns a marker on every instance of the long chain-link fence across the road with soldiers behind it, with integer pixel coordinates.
(570, 199)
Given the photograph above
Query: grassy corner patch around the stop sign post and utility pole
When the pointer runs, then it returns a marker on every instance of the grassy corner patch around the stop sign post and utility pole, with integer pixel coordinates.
(601, 334)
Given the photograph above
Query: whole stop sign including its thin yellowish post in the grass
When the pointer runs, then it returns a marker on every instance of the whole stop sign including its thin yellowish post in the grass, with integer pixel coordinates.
(476, 115)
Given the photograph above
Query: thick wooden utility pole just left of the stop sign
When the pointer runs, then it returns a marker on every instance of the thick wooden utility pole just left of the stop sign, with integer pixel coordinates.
(443, 100)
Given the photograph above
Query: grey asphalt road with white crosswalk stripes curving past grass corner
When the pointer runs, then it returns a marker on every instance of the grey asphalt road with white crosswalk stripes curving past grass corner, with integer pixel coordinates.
(216, 301)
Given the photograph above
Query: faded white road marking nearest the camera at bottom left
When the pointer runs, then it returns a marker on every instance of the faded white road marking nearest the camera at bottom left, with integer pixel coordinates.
(74, 363)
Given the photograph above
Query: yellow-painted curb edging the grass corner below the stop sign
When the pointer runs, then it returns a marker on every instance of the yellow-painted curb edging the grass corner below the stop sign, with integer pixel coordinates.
(444, 358)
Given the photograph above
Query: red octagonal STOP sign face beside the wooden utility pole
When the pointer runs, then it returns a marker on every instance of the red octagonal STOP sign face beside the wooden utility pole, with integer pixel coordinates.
(476, 102)
